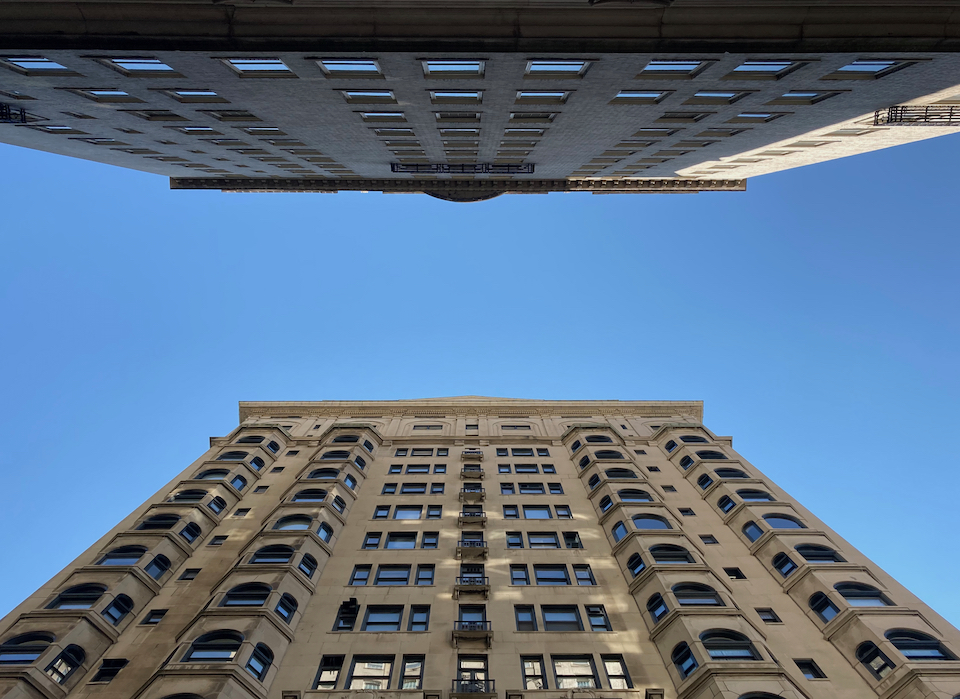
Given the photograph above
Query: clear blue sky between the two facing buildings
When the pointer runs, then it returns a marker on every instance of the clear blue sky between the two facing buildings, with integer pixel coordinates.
(816, 315)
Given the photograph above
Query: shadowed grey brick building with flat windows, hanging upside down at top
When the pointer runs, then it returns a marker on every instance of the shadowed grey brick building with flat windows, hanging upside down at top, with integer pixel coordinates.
(468, 103)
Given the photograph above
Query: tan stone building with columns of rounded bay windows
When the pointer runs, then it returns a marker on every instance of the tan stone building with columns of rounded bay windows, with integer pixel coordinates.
(474, 547)
